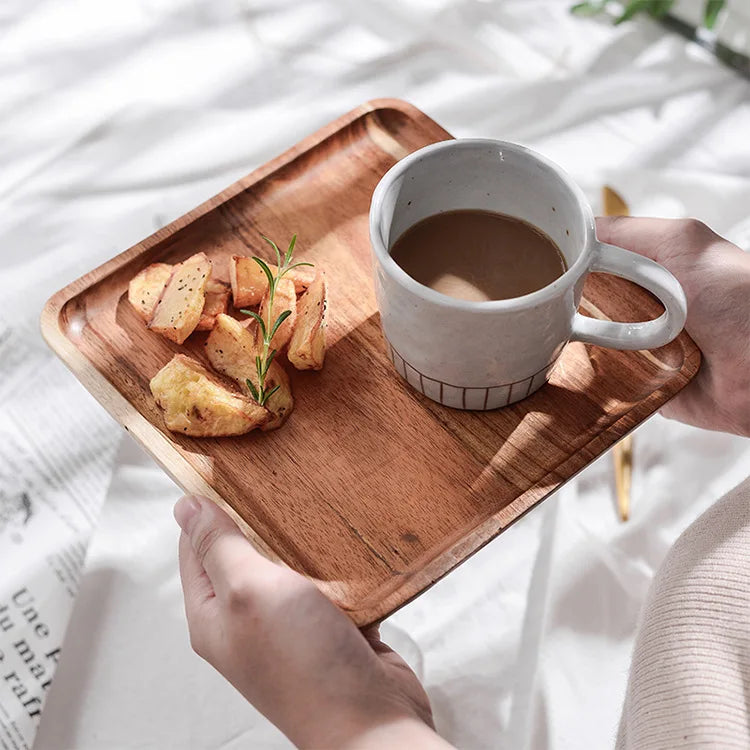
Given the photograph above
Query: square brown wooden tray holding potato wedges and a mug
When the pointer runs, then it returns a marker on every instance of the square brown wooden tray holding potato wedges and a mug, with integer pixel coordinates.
(370, 489)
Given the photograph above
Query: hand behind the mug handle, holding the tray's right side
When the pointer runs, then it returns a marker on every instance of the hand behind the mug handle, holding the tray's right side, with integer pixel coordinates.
(715, 275)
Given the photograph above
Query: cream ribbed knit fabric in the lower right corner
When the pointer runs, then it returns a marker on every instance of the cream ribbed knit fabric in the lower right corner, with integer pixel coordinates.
(689, 682)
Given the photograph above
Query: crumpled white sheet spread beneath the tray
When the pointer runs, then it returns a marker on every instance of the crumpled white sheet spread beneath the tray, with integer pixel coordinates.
(119, 116)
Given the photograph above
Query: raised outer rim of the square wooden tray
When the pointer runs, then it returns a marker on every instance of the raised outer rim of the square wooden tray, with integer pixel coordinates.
(161, 449)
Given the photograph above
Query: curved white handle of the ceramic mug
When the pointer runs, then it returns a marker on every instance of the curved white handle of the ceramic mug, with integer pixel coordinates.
(649, 275)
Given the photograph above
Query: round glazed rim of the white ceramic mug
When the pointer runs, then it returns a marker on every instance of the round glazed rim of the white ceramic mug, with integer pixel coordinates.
(551, 290)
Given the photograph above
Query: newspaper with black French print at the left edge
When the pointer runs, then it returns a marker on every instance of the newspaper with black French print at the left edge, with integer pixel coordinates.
(56, 449)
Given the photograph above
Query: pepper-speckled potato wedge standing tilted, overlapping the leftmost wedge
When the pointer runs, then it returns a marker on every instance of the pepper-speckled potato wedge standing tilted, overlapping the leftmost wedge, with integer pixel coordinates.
(181, 303)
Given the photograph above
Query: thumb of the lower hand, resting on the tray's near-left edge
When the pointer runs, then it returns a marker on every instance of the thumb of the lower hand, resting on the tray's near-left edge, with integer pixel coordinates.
(219, 546)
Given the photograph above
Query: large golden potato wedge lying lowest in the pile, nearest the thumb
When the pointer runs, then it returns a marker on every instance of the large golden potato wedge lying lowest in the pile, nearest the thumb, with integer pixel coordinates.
(196, 402)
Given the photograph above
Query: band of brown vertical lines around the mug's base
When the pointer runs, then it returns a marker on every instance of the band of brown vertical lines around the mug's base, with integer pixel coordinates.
(467, 397)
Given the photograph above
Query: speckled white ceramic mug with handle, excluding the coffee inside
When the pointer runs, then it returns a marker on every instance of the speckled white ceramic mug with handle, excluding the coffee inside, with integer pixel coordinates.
(483, 355)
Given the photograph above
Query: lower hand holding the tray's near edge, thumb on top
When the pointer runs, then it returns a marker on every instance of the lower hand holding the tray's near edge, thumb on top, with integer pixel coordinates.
(291, 652)
